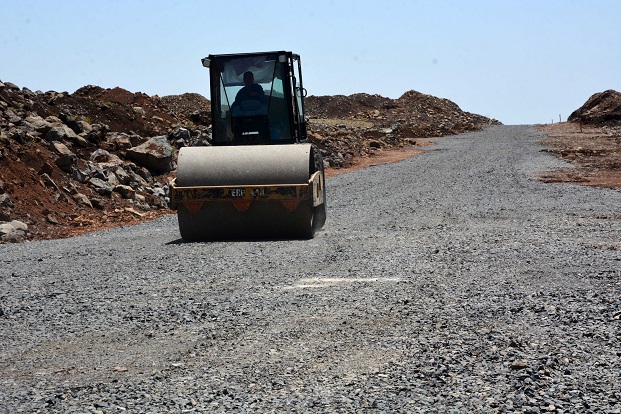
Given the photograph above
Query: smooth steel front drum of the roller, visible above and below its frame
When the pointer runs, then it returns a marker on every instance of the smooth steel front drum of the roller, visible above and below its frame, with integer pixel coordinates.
(247, 166)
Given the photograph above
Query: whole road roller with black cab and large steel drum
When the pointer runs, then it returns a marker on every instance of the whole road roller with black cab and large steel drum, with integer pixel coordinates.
(260, 178)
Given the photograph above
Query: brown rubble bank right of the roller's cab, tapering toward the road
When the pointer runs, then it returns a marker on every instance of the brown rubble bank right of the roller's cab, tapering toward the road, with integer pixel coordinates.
(348, 127)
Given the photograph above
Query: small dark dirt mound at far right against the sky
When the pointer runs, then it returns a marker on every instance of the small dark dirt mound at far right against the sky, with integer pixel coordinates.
(603, 108)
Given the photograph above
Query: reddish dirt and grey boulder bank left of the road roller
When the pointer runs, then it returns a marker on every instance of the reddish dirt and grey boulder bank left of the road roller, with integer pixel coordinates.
(94, 158)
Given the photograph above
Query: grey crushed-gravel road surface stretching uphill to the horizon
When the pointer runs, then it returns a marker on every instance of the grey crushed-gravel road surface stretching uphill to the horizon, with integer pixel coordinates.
(453, 281)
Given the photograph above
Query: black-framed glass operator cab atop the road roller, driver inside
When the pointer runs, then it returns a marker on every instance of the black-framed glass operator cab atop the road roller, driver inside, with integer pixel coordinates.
(257, 98)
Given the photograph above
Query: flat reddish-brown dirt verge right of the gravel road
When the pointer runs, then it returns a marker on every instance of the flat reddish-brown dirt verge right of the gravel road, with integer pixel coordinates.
(594, 152)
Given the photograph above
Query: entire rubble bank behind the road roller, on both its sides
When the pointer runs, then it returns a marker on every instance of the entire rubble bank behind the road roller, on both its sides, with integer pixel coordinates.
(97, 158)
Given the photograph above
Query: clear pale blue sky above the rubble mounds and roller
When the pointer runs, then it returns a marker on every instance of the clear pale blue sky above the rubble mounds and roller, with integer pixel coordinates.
(521, 62)
